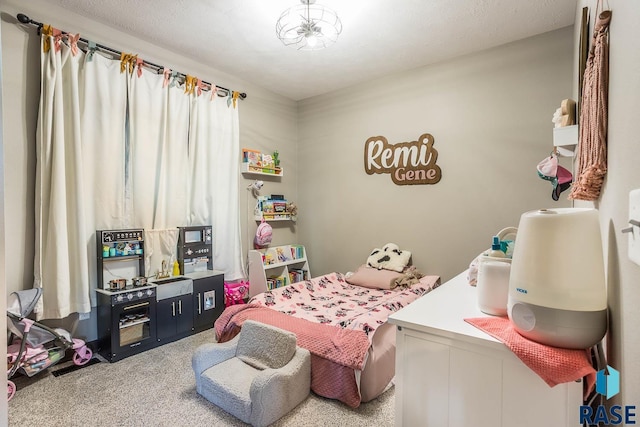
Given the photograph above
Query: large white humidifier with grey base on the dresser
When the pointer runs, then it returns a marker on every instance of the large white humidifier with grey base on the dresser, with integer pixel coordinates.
(557, 293)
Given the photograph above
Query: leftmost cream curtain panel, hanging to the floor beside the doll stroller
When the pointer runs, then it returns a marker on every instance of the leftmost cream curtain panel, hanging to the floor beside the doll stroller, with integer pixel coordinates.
(61, 265)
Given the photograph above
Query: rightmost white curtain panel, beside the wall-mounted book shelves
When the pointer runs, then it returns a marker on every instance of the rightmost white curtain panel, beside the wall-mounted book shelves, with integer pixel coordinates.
(214, 147)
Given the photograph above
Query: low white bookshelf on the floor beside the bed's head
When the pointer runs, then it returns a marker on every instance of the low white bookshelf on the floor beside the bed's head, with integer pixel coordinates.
(276, 267)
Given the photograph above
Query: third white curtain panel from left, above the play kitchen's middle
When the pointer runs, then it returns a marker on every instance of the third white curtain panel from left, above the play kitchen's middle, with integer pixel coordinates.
(158, 143)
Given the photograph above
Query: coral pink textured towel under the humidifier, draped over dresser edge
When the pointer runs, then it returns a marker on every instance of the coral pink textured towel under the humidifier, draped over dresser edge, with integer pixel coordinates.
(554, 365)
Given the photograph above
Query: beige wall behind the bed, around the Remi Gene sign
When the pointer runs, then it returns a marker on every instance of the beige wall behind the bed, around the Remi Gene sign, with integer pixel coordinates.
(490, 115)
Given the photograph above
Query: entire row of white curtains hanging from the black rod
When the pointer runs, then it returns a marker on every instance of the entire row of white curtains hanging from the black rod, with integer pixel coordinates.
(123, 150)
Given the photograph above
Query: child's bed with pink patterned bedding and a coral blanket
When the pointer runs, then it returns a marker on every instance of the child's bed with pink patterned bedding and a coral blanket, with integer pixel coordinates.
(343, 325)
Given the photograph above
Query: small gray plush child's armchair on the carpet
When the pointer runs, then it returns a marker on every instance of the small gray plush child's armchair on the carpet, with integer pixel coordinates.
(258, 376)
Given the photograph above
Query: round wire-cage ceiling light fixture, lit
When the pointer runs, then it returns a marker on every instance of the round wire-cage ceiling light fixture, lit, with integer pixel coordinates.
(308, 26)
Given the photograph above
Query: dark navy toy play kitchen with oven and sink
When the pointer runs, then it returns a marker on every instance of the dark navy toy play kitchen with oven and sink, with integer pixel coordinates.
(138, 312)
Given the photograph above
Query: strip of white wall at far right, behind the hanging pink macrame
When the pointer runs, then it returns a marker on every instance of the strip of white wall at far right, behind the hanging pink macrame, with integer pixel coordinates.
(623, 340)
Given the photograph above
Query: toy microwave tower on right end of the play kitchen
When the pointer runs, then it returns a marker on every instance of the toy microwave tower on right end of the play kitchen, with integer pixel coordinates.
(195, 248)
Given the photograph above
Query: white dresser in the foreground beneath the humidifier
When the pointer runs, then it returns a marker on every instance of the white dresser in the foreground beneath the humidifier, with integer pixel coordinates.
(449, 373)
